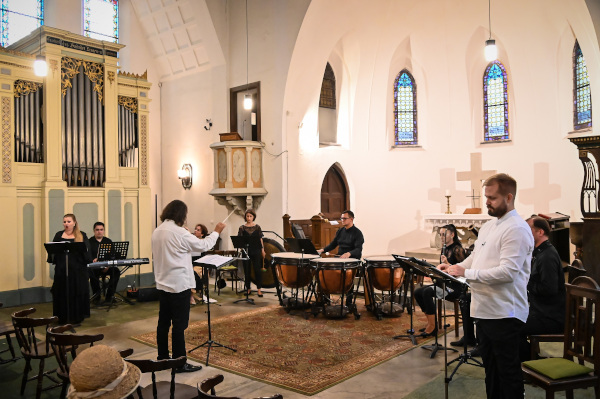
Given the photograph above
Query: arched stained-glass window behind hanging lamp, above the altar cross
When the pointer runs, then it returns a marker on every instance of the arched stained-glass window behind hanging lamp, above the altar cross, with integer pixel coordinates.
(495, 102)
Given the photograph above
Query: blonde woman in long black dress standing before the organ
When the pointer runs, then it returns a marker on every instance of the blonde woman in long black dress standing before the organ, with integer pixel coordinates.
(78, 292)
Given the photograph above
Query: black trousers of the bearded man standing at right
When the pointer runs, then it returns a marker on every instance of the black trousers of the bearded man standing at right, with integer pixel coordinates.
(499, 347)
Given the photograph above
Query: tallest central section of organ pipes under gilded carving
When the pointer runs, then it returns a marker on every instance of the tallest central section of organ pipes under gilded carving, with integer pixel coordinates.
(82, 122)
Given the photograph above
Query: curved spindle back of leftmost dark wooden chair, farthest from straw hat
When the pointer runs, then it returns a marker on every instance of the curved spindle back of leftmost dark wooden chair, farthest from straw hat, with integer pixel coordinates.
(25, 331)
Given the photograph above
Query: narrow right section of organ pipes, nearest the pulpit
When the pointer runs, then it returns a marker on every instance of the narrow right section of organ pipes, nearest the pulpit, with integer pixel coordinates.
(128, 134)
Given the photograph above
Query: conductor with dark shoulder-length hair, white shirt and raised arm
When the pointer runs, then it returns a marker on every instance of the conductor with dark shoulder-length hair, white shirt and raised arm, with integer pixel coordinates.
(172, 247)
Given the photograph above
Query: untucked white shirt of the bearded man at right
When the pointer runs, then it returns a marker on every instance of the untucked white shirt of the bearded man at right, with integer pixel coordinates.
(499, 267)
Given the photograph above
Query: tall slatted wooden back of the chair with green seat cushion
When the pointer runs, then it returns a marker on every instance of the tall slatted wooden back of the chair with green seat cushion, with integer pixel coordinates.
(582, 331)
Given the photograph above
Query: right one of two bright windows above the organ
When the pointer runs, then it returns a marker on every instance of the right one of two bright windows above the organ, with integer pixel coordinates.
(101, 19)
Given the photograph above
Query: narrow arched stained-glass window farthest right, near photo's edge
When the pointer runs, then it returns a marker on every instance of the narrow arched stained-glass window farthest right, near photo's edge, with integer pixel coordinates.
(582, 96)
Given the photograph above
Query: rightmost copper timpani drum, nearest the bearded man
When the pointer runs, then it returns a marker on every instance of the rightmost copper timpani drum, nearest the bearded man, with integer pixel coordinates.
(385, 275)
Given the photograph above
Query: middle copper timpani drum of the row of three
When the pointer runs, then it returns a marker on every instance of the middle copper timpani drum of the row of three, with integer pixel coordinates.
(335, 276)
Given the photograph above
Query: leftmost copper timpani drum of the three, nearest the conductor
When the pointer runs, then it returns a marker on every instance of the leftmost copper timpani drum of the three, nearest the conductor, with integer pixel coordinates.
(294, 271)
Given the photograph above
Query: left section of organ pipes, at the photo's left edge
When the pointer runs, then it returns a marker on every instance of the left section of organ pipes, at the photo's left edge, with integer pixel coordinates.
(29, 131)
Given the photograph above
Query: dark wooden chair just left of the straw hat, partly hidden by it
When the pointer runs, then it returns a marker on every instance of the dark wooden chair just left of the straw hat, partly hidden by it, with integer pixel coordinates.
(63, 343)
